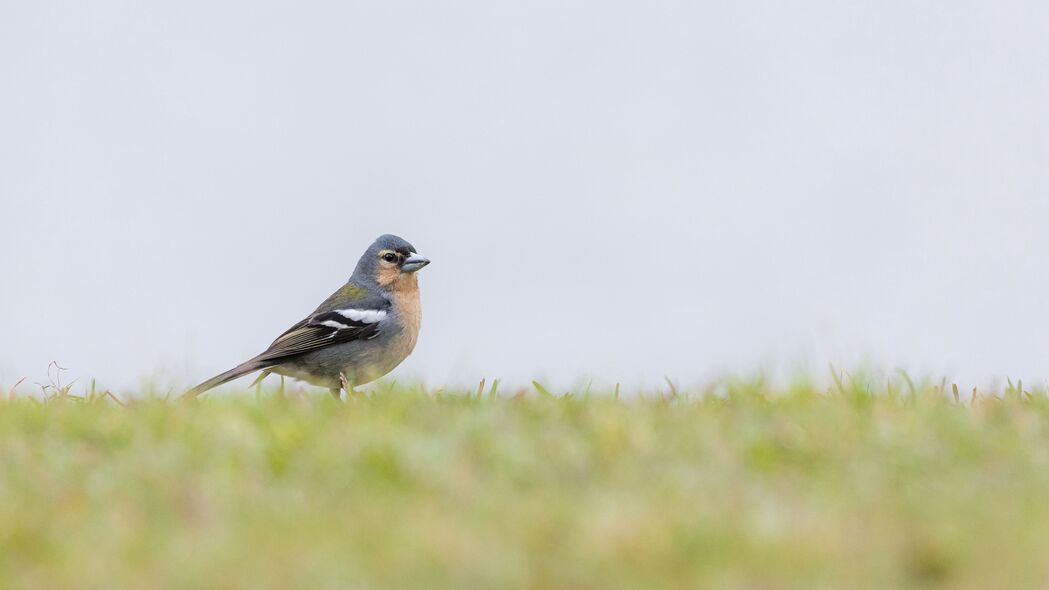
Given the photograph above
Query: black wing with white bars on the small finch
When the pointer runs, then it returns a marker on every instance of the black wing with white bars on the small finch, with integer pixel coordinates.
(353, 322)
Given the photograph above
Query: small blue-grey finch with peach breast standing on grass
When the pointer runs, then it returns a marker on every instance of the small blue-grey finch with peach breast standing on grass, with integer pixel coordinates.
(362, 332)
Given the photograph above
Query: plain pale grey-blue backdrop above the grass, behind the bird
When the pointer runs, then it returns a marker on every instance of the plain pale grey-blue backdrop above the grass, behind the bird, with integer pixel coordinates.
(609, 191)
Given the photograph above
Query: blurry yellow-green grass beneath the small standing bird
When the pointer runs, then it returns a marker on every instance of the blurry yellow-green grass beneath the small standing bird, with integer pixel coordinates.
(740, 488)
